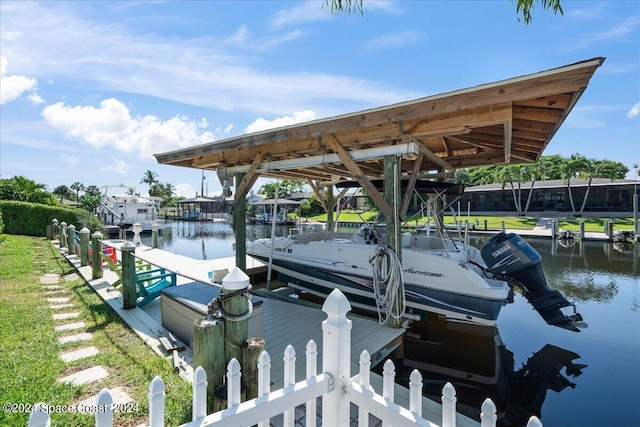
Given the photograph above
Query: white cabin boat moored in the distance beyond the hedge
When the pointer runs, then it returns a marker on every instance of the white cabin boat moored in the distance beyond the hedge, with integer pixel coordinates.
(126, 209)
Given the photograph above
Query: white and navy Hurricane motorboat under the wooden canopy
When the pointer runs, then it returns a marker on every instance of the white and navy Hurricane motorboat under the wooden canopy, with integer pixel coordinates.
(436, 274)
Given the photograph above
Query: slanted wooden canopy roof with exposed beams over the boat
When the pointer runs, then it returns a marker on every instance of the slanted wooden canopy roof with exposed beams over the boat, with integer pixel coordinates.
(510, 121)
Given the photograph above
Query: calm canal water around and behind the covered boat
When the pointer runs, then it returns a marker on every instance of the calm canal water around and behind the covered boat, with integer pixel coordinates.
(589, 378)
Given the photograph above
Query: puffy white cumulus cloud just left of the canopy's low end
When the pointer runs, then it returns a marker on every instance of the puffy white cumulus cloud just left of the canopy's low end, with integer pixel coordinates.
(111, 126)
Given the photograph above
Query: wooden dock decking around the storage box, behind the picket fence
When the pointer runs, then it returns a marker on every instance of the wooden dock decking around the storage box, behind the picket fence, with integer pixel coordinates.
(285, 321)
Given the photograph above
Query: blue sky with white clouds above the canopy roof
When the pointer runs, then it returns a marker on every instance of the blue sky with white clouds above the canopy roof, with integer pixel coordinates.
(91, 90)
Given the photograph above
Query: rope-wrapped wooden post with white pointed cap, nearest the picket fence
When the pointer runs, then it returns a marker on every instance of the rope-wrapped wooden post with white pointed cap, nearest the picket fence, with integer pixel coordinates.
(235, 331)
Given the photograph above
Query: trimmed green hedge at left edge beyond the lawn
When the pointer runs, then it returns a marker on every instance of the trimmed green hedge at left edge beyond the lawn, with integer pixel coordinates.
(31, 219)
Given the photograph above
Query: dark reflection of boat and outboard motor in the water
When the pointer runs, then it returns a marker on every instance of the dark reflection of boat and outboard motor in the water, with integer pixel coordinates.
(479, 365)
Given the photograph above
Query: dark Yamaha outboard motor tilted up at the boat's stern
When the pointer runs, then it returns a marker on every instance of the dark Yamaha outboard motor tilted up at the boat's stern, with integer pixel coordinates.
(511, 258)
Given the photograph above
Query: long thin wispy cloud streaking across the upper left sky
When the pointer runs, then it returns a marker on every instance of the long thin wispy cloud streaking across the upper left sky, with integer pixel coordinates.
(111, 57)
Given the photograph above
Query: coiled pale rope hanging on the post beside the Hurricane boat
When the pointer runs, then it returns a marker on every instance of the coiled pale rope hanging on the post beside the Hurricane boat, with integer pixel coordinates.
(388, 283)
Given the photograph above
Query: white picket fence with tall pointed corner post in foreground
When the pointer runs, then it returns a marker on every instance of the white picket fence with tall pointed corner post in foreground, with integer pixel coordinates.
(335, 386)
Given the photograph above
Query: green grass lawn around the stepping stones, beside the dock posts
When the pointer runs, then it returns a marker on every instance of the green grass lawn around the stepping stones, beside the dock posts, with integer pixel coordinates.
(30, 362)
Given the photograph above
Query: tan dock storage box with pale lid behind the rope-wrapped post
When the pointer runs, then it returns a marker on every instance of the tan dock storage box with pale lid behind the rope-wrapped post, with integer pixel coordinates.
(181, 305)
